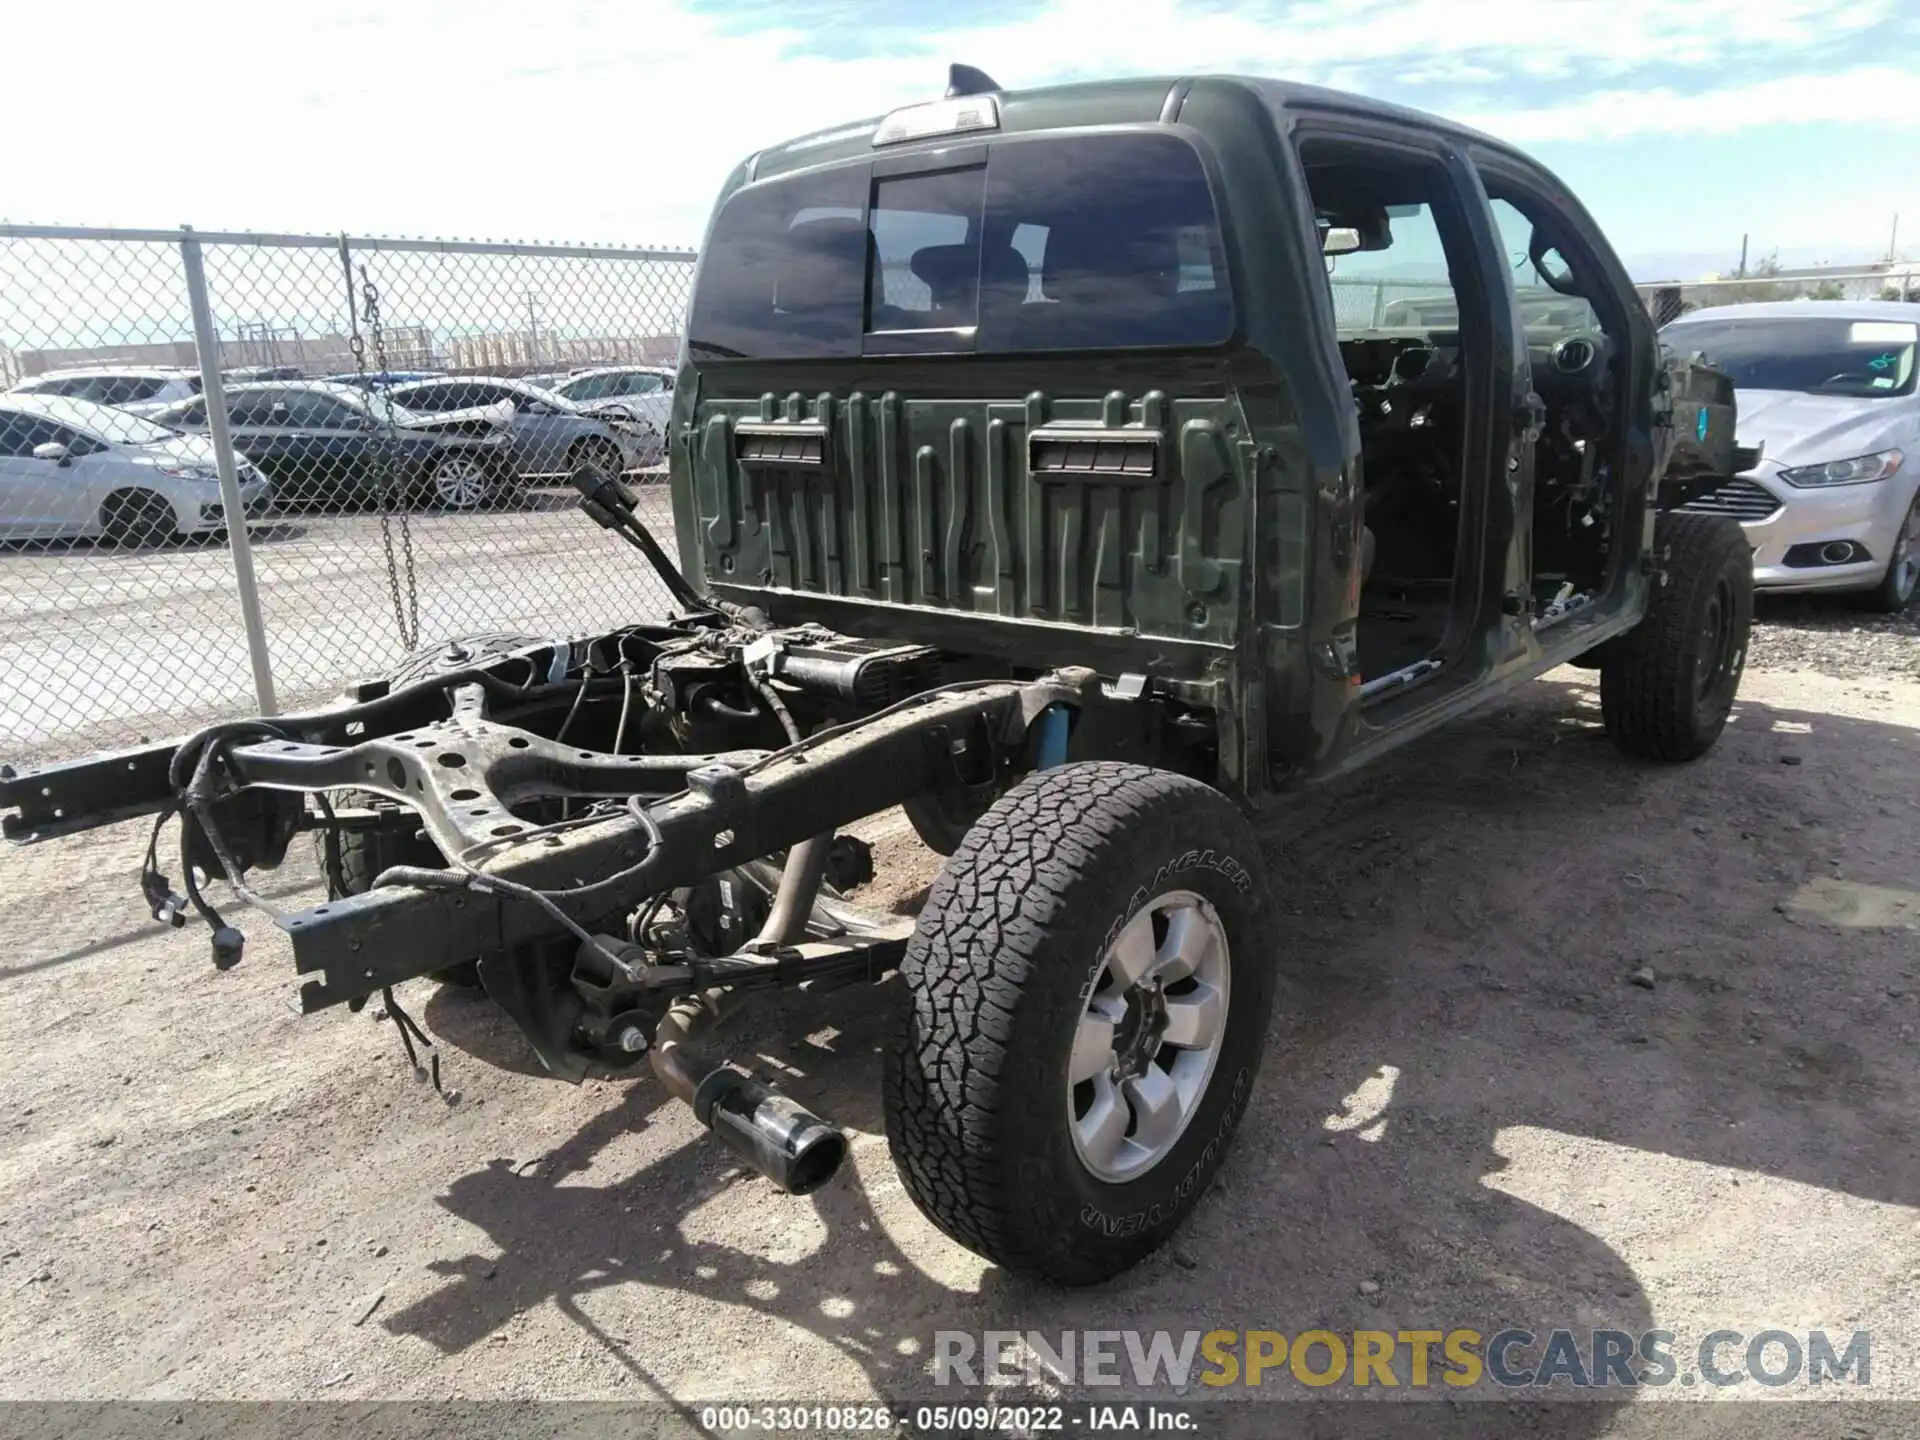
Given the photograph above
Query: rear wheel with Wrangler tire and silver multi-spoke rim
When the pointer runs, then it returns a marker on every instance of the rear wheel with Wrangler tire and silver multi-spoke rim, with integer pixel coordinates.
(1088, 997)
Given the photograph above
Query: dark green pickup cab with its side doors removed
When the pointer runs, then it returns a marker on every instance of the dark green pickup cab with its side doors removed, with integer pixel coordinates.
(1314, 414)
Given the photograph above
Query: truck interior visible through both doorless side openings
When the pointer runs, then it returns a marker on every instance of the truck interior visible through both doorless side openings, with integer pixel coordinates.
(1395, 247)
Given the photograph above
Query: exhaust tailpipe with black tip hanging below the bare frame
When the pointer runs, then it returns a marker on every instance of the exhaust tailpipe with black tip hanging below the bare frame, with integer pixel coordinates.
(771, 1132)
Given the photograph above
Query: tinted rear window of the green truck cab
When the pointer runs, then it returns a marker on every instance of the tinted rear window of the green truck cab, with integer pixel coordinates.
(1061, 243)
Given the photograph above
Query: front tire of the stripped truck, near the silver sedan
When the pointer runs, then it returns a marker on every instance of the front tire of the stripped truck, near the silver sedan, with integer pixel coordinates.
(1668, 686)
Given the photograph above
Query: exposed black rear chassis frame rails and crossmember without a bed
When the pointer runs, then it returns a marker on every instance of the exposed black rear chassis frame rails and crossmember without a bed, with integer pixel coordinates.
(517, 894)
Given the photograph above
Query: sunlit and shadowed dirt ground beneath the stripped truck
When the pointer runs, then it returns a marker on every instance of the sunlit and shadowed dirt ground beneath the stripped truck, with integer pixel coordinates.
(1474, 1113)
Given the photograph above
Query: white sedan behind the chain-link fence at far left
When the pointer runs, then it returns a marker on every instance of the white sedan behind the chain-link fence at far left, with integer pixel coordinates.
(76, 469)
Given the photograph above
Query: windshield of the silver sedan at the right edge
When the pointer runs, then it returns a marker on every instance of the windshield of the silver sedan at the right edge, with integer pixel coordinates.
(1819, 354)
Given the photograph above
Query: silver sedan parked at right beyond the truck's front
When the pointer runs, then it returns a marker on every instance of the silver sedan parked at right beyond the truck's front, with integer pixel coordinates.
(1827, 391)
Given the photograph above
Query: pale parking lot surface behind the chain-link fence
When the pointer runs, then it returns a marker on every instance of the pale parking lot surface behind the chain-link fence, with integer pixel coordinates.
(107, 646)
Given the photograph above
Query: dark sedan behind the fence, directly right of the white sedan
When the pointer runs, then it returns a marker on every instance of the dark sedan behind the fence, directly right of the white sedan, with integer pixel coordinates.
(327, 443)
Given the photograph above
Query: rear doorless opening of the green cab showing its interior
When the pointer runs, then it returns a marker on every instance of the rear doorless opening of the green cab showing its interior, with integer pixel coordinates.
(1393, 254)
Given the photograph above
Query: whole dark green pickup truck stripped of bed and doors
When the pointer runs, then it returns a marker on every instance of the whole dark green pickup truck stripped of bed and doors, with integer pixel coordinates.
(1076, 469)
